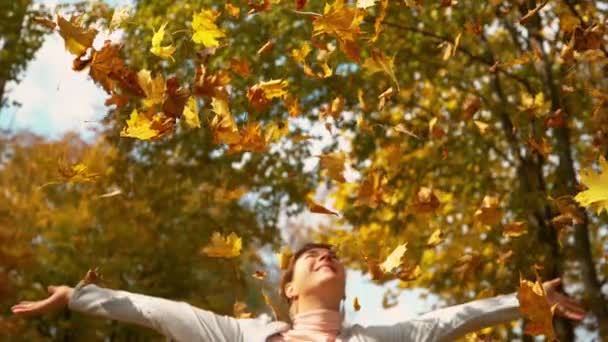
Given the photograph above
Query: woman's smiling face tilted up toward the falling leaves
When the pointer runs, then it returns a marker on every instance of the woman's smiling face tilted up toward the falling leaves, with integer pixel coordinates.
(318, 272)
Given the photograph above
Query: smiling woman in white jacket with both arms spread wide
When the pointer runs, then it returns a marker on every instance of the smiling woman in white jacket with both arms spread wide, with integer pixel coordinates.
(313, 284)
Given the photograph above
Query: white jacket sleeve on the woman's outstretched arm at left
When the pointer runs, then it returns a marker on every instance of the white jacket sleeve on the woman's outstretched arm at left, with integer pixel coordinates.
(176, 320)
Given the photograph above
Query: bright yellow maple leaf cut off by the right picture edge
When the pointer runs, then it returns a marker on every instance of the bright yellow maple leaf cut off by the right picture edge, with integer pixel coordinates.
(596, 196)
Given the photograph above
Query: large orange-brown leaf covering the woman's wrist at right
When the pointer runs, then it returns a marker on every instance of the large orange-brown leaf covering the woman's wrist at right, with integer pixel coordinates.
(534, 305)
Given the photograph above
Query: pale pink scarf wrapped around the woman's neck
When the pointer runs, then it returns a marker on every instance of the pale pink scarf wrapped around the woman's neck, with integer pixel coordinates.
(315, 325)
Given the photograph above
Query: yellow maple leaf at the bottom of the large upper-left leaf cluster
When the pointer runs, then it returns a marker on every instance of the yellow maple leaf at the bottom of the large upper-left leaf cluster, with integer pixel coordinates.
(141, 127)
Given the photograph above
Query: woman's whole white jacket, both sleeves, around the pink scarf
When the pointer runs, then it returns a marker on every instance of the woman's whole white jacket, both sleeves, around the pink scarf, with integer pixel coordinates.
(182, 322)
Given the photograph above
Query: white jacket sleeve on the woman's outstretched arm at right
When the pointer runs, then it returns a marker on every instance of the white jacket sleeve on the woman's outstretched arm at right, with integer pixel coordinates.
(452, 322)
